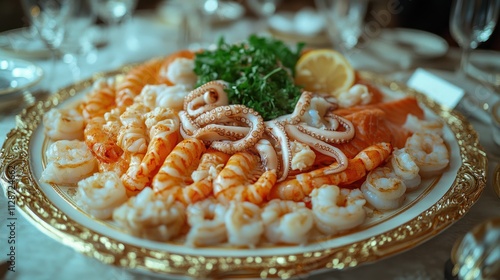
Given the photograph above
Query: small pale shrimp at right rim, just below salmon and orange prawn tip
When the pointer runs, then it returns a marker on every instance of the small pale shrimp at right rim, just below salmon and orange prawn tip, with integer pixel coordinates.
(404, 167)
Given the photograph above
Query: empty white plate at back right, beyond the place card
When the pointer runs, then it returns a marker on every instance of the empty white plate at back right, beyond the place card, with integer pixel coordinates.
(422, 44)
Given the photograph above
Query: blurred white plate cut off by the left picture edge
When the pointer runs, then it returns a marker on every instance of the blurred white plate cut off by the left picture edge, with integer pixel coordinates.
(17, 75)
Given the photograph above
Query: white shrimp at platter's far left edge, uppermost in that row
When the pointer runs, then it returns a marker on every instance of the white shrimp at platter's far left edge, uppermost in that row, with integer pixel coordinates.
(63, 124)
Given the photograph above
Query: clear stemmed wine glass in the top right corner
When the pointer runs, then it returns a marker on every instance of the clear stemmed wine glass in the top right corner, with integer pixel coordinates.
(471, 23)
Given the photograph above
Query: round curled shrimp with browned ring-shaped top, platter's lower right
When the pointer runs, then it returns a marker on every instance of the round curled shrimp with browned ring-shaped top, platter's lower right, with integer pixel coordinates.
(383, 189)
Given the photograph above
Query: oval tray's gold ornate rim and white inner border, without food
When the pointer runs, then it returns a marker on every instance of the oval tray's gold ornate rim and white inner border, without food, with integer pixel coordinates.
(438, 203)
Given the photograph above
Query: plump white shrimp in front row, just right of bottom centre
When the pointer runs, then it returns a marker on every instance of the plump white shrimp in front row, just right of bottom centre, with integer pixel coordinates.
(287, 221)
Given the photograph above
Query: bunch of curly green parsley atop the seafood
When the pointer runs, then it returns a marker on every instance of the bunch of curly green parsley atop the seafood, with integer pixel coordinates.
(259, 72)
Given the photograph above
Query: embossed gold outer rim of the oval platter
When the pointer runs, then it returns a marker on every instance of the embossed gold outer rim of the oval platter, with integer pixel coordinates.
(18, 179)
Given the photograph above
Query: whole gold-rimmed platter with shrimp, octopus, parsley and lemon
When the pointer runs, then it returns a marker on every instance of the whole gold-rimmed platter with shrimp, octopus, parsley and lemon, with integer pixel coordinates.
(246, 160)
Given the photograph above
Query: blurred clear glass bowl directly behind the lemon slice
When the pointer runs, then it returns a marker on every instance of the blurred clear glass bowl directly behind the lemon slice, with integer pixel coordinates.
(344, 20)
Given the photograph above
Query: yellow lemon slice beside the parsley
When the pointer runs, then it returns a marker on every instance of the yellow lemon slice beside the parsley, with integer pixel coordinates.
(324, 70)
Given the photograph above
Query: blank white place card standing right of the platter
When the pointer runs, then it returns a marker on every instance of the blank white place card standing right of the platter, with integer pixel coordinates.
(440, 90)
